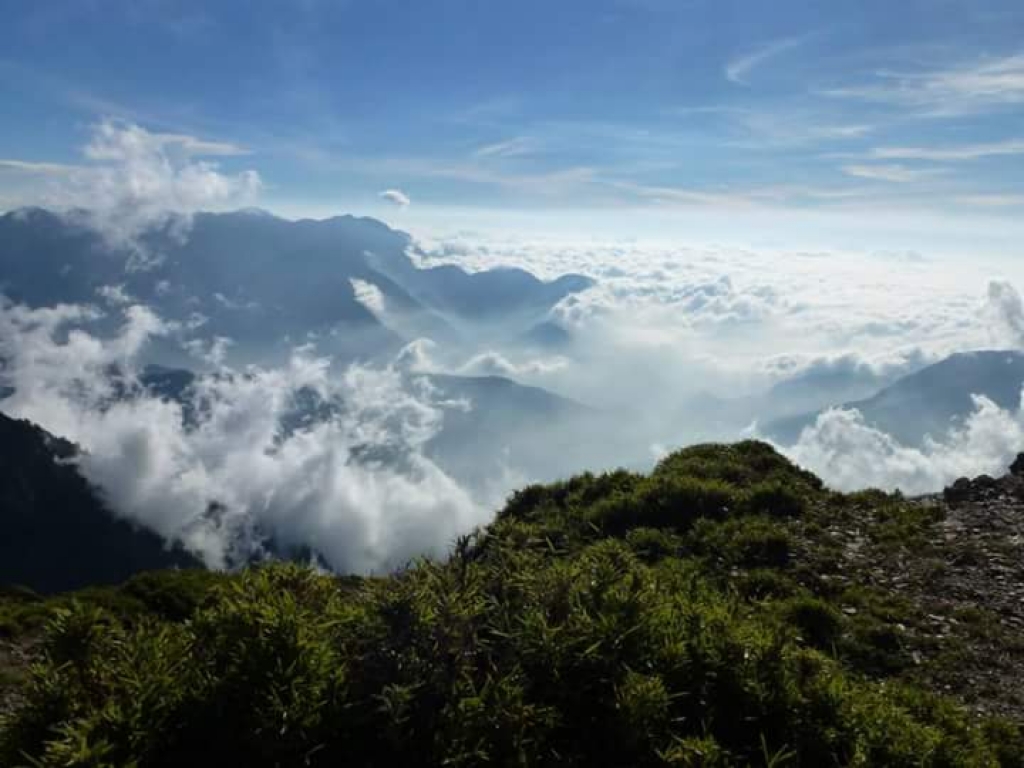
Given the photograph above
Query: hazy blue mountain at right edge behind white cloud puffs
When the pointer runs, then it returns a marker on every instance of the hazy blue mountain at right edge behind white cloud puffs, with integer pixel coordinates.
(930, 401)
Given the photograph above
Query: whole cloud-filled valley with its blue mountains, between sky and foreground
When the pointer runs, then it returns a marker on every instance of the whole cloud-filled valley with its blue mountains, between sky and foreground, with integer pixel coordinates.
(245, 385)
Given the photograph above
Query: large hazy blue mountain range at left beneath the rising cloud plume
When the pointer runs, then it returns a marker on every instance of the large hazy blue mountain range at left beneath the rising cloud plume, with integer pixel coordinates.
(268, 283)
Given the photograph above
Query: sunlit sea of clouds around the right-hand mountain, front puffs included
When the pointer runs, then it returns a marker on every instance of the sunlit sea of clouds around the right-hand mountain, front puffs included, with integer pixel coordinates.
(667, 321)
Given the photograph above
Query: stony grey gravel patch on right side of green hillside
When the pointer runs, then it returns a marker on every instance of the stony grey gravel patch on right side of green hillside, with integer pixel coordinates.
(945, 575)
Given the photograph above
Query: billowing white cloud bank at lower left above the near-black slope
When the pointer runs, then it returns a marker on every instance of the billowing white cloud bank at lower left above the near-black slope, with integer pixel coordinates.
(357, 486)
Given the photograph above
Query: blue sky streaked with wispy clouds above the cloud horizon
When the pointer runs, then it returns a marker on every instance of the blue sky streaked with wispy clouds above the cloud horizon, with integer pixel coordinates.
(651, 106)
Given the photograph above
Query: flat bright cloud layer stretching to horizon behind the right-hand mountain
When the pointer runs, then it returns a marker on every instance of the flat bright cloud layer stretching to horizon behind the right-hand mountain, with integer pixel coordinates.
(666, 321)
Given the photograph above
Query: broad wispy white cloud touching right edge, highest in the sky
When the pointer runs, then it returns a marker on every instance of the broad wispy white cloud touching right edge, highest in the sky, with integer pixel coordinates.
(976, 87)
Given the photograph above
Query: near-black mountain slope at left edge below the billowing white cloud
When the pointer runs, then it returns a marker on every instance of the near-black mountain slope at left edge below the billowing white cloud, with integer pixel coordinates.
(56, 532)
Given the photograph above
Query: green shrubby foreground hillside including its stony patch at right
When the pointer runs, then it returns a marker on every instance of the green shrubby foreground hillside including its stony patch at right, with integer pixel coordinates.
(726, 610)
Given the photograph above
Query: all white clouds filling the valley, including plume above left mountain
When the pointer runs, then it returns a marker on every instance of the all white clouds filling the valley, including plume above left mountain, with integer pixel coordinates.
(665, 325)
